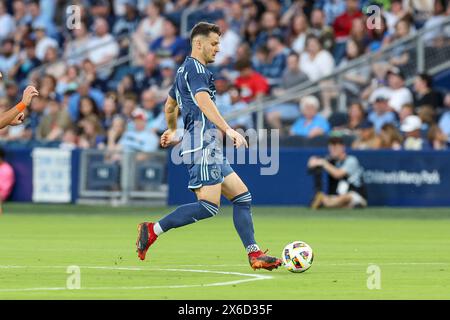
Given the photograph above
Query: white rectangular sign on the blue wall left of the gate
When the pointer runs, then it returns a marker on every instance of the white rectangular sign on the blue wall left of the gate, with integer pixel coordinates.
(52, 175)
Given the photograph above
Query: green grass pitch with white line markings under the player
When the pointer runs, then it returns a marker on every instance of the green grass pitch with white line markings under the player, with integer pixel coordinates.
(206, 260)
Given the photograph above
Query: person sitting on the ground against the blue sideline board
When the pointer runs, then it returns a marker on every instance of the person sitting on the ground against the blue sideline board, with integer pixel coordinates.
(345, 175)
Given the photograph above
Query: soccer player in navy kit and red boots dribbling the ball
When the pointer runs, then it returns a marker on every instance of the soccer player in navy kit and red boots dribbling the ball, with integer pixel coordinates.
(210, 174)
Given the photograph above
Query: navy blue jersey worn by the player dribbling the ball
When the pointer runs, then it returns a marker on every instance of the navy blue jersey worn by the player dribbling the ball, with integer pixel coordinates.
(192, 77)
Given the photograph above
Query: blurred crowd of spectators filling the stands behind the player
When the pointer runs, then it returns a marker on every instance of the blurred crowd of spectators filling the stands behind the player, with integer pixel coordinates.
(103, 80)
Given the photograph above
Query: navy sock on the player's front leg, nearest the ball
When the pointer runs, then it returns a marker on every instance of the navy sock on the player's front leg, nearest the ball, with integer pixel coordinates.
(242, 218)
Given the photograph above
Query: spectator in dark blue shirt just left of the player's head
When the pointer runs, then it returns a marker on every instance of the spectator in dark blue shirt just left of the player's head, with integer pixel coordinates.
(170, 45)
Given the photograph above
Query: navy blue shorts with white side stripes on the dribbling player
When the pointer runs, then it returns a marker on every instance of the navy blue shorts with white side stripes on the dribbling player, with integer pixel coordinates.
(209, 168)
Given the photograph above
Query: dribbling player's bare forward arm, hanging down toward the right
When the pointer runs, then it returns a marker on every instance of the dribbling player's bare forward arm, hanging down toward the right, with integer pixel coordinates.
(209, 109)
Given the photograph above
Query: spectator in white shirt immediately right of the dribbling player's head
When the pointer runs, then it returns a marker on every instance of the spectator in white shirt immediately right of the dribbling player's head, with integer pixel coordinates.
(229, 42)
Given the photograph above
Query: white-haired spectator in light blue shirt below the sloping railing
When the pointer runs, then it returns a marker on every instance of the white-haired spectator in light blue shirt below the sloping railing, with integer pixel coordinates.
(310, 124)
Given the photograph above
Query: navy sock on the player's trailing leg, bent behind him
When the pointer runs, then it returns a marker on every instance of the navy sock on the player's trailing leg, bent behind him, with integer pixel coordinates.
(187, 214)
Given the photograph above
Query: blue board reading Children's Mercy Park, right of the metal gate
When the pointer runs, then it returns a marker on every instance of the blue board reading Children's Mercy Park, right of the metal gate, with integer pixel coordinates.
(393, 178)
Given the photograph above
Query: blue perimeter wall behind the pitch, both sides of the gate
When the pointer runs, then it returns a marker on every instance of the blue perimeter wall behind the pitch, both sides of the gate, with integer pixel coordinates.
(394, 178)
